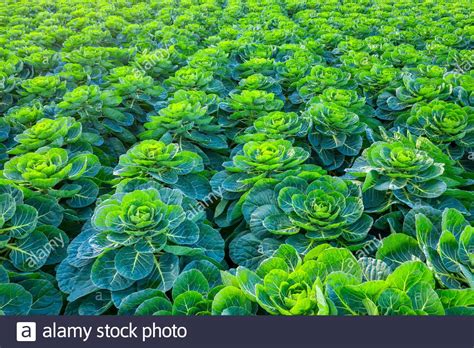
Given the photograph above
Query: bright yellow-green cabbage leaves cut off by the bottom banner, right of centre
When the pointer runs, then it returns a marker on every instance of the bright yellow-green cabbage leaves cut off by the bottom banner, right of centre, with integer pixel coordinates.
(330, 281)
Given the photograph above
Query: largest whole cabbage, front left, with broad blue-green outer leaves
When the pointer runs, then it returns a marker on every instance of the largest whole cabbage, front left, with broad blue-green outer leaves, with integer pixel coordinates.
(135, 238)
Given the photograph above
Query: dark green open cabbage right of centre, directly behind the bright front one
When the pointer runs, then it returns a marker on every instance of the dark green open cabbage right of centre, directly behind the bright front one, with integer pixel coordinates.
(322, 208)
